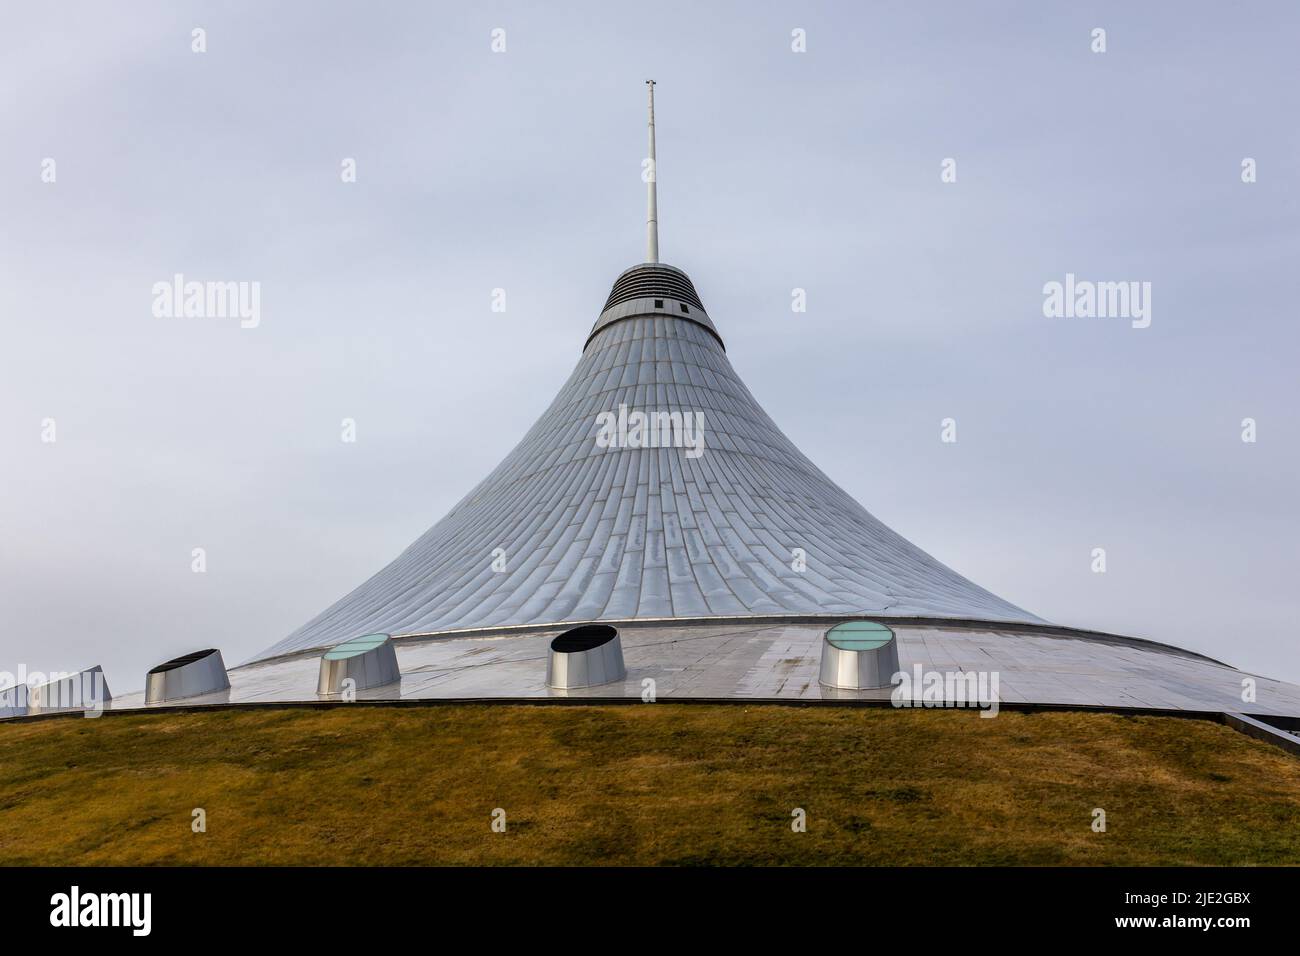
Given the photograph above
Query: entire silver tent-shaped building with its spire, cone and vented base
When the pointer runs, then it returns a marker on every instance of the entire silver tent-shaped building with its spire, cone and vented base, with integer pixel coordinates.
(722, 564)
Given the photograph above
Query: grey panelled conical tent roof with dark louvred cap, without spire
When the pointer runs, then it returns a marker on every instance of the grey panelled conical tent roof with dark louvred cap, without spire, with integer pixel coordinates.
(570, 529)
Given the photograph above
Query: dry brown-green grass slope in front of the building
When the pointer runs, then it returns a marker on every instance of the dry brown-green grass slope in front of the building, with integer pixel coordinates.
(643, 785)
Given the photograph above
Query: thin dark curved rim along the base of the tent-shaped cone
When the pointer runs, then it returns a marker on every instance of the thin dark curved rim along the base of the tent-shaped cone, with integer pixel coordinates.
(969, 624)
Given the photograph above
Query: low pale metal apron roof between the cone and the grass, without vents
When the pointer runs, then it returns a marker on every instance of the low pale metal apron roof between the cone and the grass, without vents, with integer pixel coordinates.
(770, 661)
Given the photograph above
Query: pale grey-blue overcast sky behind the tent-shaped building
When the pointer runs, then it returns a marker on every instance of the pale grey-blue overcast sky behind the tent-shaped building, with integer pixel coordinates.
(522, 171)
